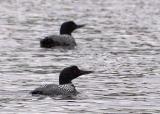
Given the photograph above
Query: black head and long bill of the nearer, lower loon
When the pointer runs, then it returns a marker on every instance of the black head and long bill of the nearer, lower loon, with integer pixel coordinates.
(70, 73)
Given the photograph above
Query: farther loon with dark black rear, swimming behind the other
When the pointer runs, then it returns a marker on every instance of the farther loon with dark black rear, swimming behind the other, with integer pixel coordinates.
(64, 39)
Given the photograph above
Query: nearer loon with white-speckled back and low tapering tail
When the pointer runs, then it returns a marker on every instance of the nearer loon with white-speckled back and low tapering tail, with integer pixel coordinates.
(65, 87)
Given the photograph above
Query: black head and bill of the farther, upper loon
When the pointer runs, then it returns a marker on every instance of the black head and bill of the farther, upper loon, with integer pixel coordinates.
(68, 27)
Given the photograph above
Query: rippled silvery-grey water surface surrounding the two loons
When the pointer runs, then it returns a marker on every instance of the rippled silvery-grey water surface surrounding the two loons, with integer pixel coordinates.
(120, 42)
